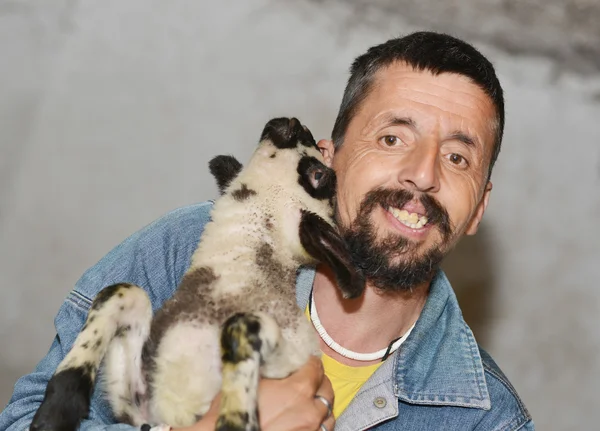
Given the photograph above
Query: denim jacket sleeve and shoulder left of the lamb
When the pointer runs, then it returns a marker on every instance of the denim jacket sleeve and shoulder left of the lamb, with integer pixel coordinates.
(155, 258)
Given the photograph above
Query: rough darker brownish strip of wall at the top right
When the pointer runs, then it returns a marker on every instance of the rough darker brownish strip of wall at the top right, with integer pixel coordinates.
(566, 31)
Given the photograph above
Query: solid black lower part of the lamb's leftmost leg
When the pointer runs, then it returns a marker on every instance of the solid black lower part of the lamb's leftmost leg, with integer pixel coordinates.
(74, 385)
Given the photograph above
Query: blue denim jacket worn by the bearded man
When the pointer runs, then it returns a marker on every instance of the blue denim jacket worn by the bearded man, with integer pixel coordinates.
(439, 380)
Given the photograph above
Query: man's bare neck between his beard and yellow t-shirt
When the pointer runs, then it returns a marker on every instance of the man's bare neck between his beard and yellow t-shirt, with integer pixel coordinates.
(366, 324)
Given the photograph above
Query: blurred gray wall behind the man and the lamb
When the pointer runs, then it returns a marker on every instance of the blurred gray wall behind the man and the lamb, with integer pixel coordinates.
(109, 112)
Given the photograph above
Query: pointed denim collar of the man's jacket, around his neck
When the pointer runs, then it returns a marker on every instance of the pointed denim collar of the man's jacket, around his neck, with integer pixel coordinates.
(439, 363)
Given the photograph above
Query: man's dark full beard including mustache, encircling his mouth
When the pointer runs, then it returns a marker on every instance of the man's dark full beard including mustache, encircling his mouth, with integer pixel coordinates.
(374, 257)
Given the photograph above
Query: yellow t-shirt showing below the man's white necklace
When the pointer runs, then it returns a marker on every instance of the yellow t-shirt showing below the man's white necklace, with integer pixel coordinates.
(346, 380)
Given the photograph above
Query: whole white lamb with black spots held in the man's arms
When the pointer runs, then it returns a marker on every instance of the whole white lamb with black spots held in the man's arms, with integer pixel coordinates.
(234, 316)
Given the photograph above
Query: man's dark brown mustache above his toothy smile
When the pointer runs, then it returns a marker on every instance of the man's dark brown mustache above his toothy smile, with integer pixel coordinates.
(434, 211)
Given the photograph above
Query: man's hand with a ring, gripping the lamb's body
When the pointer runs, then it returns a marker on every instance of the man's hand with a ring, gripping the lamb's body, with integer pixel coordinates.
(286, 404)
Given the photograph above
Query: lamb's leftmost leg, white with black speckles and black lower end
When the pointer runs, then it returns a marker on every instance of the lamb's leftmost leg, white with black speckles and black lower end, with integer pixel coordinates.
(67, 398)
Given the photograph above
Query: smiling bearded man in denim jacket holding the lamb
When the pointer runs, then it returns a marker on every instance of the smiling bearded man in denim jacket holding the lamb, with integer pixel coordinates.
(414, 144)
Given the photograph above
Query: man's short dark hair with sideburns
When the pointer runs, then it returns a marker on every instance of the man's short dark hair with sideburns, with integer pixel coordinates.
(435, 52)
